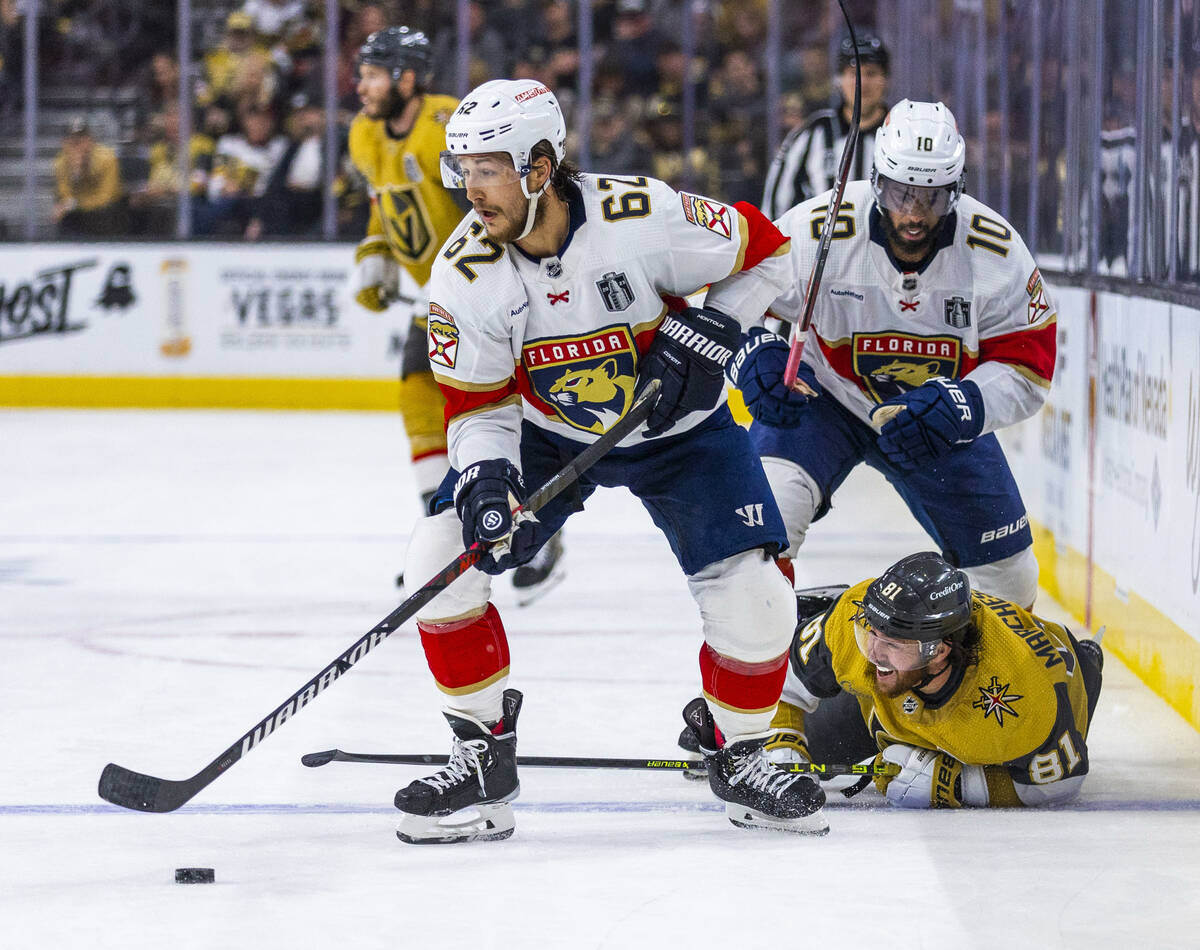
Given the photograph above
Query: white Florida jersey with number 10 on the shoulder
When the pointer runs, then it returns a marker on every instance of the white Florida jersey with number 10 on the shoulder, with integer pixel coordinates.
(980, 309)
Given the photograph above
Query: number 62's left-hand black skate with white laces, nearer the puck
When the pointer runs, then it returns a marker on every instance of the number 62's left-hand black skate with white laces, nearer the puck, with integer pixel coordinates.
(467, 801)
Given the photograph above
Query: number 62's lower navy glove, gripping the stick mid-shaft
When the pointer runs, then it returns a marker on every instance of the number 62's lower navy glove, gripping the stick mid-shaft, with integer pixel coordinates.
(484, 497)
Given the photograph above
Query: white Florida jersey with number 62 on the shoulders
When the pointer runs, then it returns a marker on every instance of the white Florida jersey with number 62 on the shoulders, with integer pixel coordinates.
(560, 340)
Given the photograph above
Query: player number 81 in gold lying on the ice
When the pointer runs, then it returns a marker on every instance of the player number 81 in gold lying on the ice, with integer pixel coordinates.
(979, 702)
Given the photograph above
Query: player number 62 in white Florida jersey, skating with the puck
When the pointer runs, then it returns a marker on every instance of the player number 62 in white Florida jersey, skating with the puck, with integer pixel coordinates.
(549, 303)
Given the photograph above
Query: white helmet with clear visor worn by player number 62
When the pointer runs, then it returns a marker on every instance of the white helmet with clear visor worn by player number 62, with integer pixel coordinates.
(503, 116)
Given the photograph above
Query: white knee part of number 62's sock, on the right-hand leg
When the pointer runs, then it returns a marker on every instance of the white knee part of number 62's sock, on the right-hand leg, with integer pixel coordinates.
(747, 608)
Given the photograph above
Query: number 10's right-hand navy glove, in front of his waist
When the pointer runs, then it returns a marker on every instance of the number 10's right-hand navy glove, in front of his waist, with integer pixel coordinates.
(937, 417)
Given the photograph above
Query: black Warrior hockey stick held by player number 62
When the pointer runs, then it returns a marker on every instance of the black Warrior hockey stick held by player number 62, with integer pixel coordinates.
(131, 790)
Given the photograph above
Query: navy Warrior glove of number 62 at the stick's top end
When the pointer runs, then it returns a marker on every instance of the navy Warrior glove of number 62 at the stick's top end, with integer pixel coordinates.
(689, 356)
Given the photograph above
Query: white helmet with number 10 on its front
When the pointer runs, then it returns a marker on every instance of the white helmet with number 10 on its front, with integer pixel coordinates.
(920, 147)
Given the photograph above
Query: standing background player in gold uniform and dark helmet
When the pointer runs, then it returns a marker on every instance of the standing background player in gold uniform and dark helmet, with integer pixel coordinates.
(395, 143)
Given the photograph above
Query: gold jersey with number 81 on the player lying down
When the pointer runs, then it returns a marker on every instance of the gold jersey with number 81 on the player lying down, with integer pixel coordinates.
(1022, 712)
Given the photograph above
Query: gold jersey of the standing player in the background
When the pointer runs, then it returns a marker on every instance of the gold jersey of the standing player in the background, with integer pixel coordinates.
(410, 208)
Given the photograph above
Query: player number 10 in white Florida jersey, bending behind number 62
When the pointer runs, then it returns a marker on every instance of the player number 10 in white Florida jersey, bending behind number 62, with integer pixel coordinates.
(932, 309)
